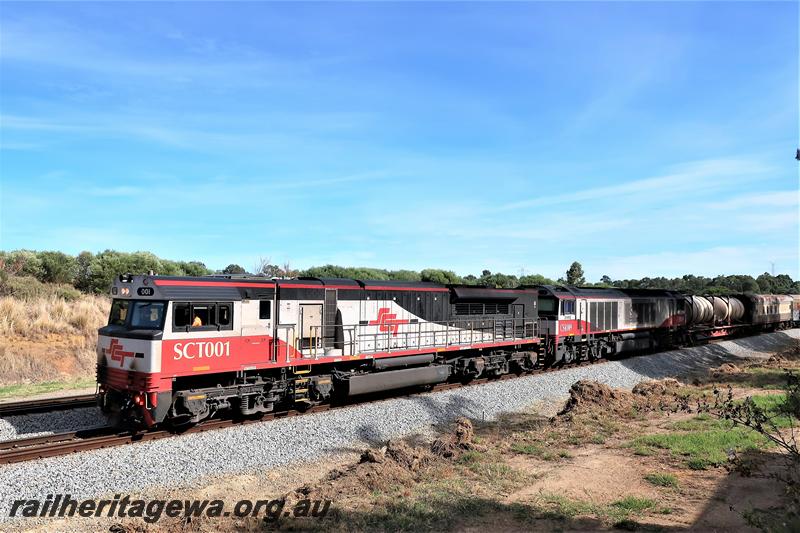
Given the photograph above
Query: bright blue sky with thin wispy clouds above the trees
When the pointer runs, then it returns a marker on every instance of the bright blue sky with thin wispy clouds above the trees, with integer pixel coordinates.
(640, 139)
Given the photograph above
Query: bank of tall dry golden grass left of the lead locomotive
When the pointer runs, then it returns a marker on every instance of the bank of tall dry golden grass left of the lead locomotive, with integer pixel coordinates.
(49, 338)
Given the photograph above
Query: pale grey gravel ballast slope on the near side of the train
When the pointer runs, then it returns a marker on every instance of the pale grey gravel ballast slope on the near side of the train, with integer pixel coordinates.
(183, 460)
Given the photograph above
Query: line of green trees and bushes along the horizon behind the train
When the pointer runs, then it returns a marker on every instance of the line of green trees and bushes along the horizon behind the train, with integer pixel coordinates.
(94, 273)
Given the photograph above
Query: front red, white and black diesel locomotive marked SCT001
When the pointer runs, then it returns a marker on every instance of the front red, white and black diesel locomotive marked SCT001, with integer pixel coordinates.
(184, 349)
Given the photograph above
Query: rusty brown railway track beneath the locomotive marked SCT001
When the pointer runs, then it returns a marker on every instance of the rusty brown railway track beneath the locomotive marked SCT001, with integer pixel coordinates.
(29, 449)
